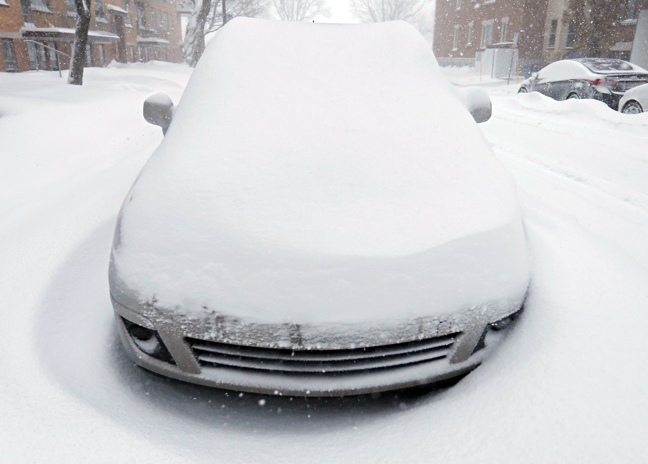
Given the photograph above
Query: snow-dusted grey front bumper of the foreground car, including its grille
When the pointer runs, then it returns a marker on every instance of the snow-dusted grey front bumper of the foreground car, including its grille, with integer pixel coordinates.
(227, 355)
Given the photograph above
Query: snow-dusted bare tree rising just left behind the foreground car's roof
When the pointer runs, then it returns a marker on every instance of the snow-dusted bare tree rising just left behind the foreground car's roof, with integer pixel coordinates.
(209, 16)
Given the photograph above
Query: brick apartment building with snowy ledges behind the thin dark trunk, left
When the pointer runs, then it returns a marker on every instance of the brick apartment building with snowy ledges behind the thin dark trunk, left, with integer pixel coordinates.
(32, 31)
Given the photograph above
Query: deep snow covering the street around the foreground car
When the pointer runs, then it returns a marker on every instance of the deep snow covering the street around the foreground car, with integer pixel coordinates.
(570, 385)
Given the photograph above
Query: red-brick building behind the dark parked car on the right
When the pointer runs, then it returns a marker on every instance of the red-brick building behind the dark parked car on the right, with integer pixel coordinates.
(462, 27)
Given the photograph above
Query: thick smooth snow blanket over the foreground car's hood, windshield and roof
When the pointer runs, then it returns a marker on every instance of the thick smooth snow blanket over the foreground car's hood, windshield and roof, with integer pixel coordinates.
(316, 168)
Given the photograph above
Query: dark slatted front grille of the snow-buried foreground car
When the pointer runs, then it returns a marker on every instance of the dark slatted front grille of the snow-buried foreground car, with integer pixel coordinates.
(330, 361)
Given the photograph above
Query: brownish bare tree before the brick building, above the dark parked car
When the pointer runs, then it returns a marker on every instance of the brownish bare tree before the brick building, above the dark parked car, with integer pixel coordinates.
(591, 24)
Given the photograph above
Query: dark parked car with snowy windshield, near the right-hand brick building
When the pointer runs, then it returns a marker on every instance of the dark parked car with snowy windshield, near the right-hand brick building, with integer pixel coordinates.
(603, 79)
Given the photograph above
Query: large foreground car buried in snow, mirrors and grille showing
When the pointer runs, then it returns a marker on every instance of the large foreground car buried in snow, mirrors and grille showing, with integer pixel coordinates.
(323, 217)
